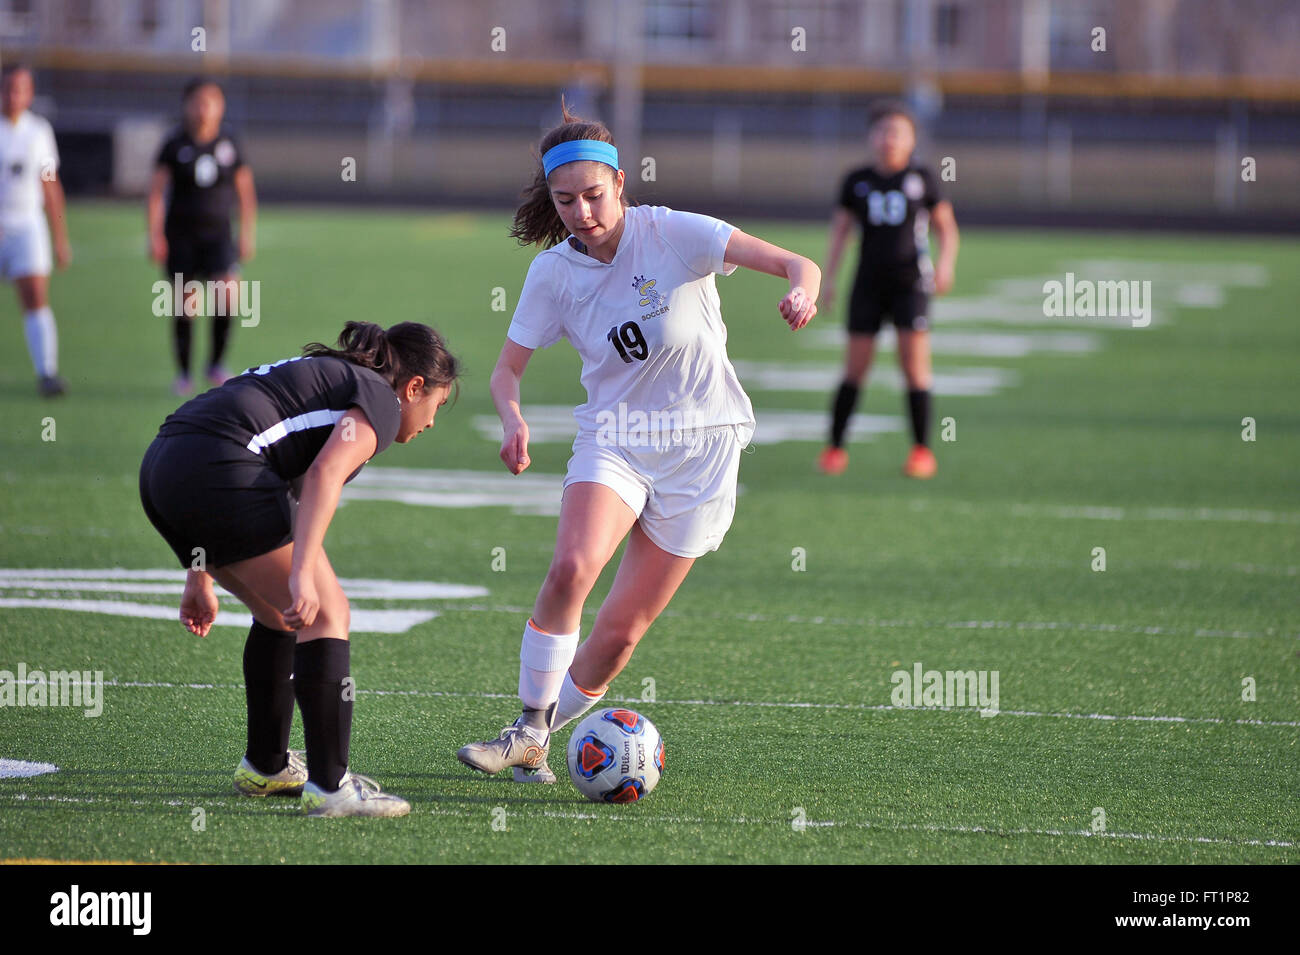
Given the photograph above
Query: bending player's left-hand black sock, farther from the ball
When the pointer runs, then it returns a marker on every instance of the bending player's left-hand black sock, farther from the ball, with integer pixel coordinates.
(270, 689)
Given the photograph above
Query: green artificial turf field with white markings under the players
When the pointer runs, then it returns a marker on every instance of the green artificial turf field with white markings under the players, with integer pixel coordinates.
(1121, 691)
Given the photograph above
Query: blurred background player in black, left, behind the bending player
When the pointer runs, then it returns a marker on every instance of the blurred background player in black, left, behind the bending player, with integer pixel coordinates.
(202, 172)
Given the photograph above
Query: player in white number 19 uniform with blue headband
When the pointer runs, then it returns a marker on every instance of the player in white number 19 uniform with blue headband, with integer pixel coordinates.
(661, 435)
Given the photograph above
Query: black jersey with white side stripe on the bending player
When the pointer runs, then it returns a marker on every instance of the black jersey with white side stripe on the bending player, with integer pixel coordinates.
(285, 411)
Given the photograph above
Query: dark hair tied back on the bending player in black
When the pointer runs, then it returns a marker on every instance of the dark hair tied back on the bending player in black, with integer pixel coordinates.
(400, 354)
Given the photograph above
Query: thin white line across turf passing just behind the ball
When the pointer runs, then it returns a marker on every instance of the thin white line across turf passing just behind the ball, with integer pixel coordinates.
(760, 705)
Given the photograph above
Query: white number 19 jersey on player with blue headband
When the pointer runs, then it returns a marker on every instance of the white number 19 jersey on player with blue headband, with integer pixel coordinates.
(648, 325)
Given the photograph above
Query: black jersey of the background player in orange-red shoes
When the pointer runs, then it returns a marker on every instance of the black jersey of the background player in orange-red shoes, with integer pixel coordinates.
(895, 216)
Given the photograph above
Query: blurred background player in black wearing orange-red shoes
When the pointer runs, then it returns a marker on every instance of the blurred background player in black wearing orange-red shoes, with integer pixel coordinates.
(896, 203)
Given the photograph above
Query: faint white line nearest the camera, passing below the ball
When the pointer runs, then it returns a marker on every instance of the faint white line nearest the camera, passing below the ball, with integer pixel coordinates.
(652, 818)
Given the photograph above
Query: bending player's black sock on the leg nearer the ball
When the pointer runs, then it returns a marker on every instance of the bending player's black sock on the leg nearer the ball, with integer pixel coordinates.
(320, 668)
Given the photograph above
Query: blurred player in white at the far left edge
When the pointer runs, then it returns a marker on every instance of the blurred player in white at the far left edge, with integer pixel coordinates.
(31, 193)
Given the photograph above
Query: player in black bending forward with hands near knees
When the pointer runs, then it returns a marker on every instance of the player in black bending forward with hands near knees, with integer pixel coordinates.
(242, 483)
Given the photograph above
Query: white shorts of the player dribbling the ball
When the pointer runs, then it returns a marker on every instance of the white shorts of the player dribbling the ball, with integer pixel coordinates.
(683, 492)
